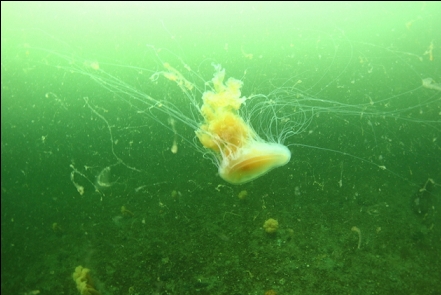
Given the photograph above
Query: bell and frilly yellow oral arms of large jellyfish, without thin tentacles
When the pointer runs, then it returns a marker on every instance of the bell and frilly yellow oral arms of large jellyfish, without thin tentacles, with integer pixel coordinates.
(243, 155)
